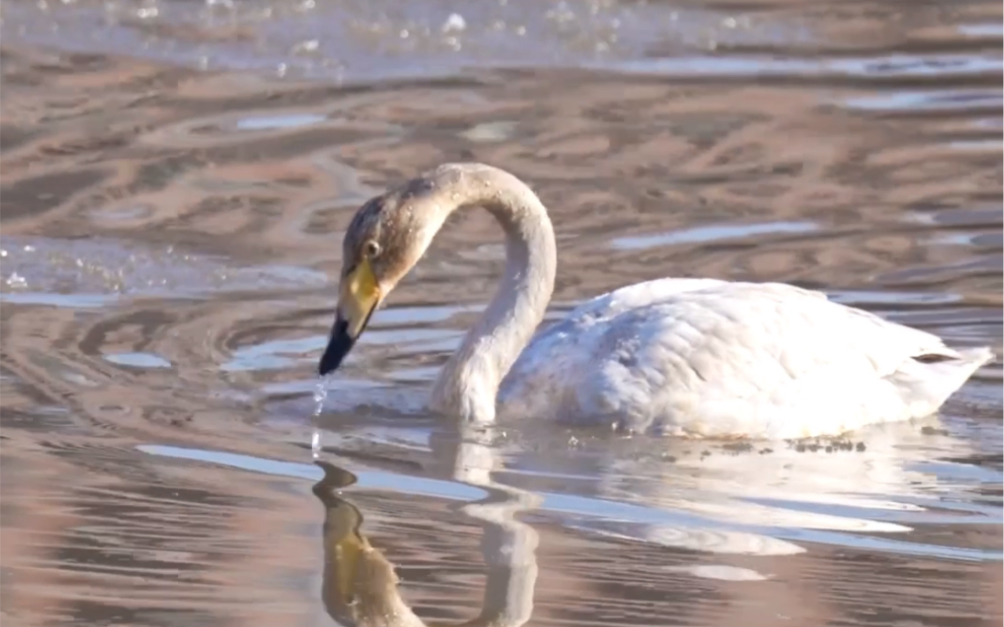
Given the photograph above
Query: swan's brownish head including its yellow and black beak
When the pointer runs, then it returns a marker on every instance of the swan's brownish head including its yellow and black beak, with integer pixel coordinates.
(386, 239)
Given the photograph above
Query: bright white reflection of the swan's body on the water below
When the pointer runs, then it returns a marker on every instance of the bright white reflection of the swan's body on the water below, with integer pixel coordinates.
(768, 501)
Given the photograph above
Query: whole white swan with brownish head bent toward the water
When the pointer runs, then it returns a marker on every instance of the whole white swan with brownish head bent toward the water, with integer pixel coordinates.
(688, 358)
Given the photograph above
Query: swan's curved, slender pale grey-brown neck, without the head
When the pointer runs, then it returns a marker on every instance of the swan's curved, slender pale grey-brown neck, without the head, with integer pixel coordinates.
(469, 383)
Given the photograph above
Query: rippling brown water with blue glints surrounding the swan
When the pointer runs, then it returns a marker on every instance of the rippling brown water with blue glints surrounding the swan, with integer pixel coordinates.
(177, 178)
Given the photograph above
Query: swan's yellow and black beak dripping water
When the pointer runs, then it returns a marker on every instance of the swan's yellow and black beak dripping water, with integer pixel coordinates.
(358, 298)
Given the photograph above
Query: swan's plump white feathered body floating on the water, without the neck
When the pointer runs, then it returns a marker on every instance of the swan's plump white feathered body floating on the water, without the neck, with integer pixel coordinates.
(712, 359)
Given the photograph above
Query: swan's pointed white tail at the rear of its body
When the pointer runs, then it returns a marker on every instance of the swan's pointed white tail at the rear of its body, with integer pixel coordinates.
(927, 382)
